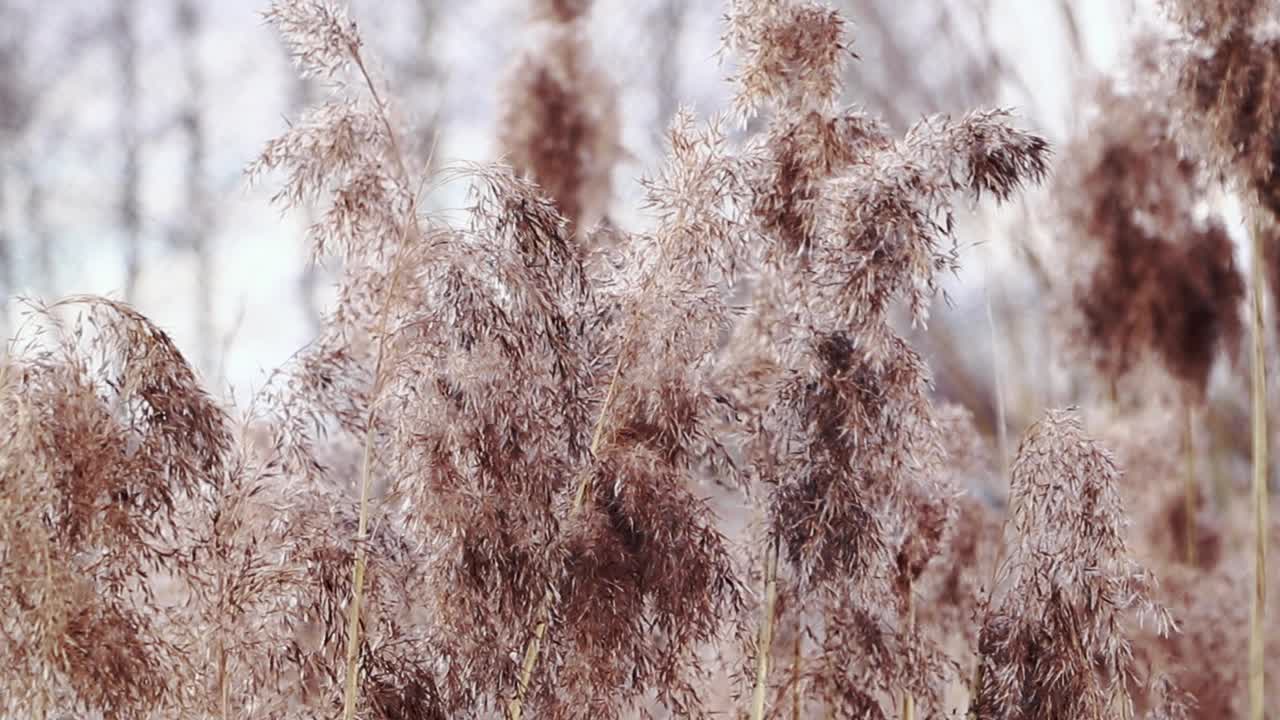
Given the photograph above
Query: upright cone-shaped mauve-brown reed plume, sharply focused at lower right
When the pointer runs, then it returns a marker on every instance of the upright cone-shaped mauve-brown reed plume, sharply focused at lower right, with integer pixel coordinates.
(1054, 640)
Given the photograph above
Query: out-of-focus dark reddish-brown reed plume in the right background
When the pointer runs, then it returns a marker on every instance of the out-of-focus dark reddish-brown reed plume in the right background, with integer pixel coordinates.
(1156, 281)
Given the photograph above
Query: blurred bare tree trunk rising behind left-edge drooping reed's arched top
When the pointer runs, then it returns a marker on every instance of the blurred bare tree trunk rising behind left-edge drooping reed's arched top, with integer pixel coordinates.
(130, 212)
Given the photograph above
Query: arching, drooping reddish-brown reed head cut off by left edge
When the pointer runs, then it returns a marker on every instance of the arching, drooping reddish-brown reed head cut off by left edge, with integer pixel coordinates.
(112, 450)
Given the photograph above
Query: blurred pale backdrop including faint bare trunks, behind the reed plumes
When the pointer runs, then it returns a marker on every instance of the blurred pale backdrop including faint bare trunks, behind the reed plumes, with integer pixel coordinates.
(126, 127)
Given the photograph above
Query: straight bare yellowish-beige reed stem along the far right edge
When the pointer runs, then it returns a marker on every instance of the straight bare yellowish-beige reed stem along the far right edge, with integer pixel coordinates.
(1258, 601)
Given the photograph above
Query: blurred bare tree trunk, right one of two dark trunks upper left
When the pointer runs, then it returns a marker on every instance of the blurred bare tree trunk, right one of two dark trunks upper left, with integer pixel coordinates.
(196, 231)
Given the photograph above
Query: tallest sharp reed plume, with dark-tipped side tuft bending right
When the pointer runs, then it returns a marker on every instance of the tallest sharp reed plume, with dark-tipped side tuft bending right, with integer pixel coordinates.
(853, 221)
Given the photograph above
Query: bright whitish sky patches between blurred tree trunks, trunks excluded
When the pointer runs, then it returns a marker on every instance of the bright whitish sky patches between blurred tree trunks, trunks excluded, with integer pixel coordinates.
(259, 253)
